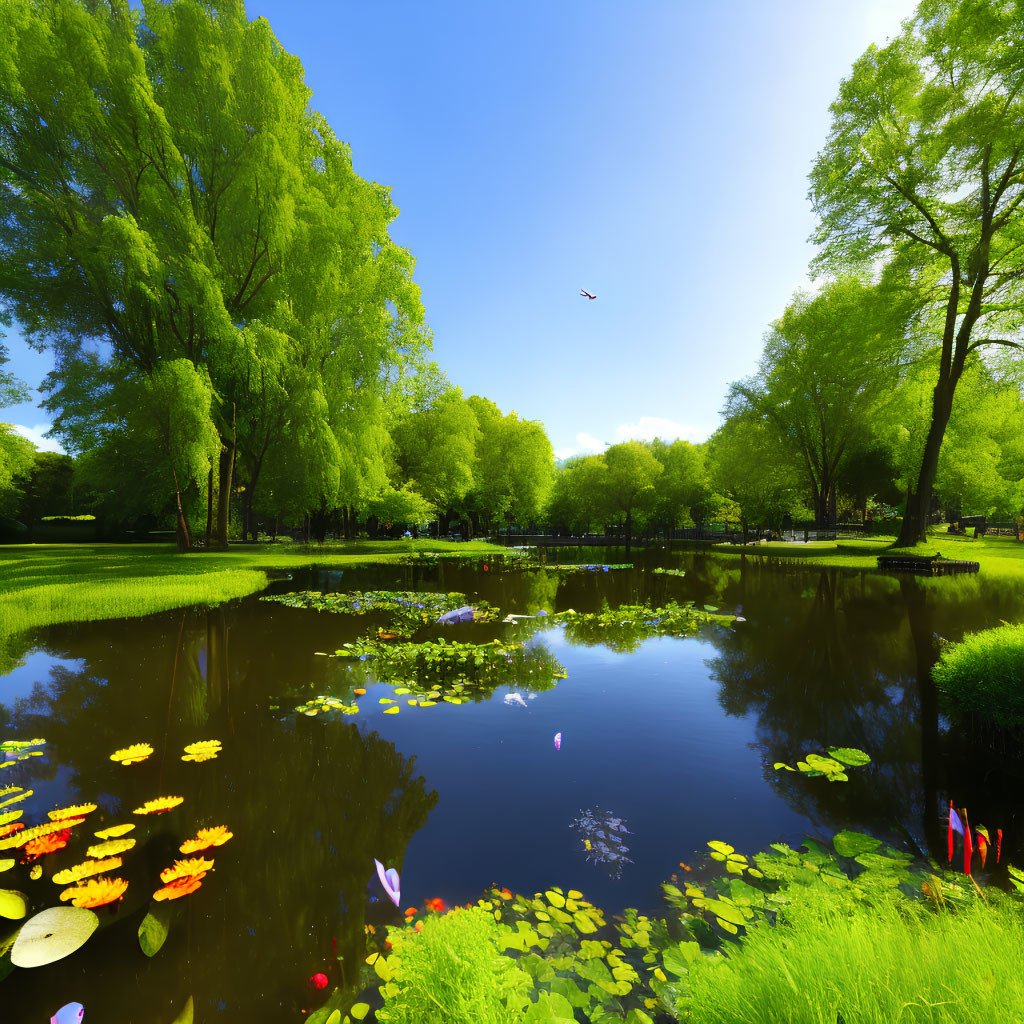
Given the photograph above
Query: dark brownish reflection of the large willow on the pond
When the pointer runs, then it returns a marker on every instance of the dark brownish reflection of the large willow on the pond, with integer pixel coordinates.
(312, 805)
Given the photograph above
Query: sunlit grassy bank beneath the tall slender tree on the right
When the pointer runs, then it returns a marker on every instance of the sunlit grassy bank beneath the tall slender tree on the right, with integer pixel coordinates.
(999, 557)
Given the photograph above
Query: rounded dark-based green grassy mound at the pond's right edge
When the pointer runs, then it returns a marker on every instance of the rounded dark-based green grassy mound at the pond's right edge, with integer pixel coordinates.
(983, 674)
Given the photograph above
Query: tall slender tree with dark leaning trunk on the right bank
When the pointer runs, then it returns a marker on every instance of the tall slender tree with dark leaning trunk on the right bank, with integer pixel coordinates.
(925, 168)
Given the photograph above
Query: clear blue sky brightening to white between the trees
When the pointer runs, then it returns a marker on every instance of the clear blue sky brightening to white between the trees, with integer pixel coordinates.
(654, 153)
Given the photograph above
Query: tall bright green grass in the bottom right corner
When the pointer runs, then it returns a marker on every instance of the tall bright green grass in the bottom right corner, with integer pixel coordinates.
(889, 962)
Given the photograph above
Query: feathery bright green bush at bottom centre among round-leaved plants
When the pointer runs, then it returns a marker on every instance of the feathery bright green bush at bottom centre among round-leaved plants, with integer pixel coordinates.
(453, 972)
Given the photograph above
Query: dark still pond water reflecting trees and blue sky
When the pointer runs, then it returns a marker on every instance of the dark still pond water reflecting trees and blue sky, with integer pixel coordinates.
(677, 738)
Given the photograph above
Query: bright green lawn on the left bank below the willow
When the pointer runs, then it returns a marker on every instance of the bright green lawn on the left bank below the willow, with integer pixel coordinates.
(44, 585)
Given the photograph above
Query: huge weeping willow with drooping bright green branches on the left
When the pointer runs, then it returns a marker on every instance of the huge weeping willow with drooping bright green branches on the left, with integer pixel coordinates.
(167, 194)
